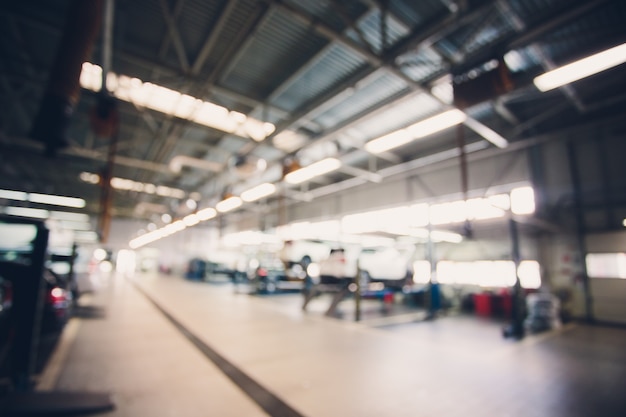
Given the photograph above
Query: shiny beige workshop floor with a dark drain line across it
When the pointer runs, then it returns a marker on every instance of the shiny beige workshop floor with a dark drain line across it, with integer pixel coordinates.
(256, 356)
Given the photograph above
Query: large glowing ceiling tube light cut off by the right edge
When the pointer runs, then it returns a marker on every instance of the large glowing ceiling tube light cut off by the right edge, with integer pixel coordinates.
(582, 68)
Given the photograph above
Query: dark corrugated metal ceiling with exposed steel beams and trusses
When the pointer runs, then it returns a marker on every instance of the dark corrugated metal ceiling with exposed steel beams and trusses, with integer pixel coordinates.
(328, 76)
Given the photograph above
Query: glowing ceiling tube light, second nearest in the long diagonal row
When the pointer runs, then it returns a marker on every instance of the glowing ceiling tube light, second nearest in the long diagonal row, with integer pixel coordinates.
(416, 131)
